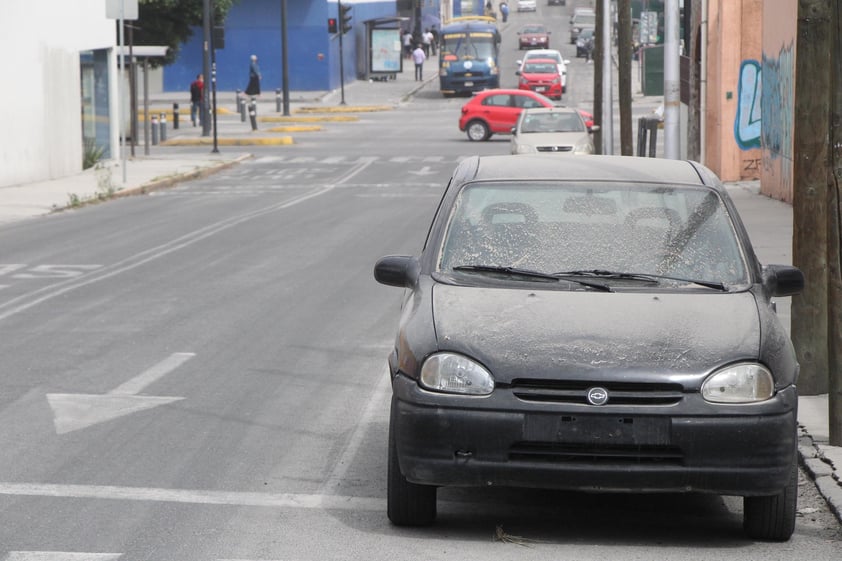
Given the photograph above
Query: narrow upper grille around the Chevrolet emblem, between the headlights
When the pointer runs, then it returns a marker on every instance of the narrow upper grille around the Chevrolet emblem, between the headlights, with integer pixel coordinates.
(575, 391)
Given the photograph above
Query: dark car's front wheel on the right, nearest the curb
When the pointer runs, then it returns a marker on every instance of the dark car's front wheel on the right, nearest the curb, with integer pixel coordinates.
(772, 518)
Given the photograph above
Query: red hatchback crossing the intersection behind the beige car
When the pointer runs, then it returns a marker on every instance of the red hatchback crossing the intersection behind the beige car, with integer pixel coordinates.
(496, 111)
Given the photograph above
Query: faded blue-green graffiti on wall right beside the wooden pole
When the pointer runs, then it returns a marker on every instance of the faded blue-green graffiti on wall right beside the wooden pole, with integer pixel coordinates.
(777, 116)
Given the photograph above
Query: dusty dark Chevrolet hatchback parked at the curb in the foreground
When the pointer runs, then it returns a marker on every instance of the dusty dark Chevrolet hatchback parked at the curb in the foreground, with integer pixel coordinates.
(596, 324)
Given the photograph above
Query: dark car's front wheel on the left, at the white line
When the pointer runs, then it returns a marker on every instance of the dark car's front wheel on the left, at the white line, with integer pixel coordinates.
(407, 504)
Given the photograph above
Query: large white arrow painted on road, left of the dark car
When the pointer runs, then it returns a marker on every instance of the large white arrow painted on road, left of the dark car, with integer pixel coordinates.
(78, 411)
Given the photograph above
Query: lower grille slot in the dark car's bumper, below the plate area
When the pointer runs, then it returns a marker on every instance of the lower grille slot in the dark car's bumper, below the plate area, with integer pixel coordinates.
(595, 454)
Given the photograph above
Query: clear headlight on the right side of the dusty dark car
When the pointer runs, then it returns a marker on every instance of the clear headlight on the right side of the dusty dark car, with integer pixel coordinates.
(739, 383)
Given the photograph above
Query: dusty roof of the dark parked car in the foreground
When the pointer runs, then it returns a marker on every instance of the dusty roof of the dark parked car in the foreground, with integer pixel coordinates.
(589, 168)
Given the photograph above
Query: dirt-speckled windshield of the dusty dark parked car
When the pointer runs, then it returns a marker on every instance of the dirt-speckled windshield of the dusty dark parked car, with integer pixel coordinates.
(682, 232)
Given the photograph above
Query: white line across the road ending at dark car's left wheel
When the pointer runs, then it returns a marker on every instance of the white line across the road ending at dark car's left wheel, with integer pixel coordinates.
(194, 496)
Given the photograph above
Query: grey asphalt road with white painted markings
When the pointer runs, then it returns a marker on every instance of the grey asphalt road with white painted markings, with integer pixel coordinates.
(199, 374)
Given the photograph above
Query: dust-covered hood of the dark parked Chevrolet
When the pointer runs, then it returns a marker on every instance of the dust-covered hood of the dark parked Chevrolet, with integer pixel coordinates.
(541, 333)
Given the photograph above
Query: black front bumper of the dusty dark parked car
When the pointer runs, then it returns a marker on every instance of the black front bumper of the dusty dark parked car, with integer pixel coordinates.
(455, 441)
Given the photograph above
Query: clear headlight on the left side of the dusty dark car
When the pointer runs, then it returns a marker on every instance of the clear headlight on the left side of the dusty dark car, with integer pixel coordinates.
(453, 373)
